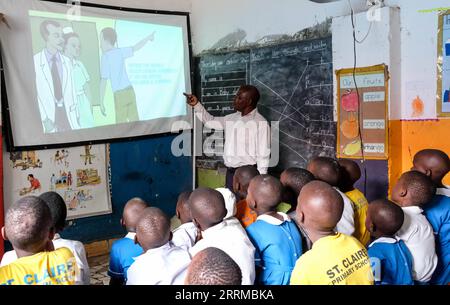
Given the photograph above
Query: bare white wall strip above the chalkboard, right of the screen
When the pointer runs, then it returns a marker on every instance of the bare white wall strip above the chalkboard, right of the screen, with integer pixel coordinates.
(213, 20)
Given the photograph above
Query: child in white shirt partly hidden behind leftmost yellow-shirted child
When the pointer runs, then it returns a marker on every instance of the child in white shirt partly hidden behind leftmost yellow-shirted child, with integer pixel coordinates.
(58, 212)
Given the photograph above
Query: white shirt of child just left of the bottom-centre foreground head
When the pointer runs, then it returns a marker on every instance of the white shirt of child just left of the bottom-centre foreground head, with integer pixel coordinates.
(166, 265)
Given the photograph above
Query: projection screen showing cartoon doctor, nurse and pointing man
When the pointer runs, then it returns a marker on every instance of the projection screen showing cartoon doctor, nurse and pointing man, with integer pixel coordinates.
(76, 74)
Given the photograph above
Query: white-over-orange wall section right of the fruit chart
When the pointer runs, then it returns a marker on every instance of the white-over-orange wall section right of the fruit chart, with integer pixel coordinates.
(409, 134)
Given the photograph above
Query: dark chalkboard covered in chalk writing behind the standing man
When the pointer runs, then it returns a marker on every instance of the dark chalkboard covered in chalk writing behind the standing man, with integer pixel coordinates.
(295, 80)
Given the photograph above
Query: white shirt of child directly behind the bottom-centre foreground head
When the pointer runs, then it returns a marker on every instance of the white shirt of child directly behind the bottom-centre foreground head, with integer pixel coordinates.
(233, 241)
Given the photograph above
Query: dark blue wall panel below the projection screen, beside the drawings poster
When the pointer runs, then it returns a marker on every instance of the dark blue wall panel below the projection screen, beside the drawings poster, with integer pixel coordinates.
(143, 168)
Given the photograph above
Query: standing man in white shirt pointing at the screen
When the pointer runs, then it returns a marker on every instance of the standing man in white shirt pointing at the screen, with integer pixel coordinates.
(247, 132)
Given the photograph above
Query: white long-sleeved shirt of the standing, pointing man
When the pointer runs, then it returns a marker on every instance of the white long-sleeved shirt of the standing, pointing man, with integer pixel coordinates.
(243, 146)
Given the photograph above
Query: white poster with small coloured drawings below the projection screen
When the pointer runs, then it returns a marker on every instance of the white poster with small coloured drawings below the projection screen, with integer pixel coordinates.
(78, 174)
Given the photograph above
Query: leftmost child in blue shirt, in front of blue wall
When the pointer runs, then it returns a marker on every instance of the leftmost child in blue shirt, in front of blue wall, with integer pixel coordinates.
(124, 250)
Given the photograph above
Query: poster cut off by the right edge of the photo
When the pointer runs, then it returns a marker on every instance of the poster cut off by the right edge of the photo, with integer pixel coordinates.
(443, 71)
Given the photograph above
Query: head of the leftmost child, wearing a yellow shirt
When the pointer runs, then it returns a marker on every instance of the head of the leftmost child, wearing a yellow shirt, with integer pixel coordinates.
(28, 223)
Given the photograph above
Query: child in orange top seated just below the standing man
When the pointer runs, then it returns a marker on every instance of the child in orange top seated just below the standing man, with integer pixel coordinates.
(241, 180)
